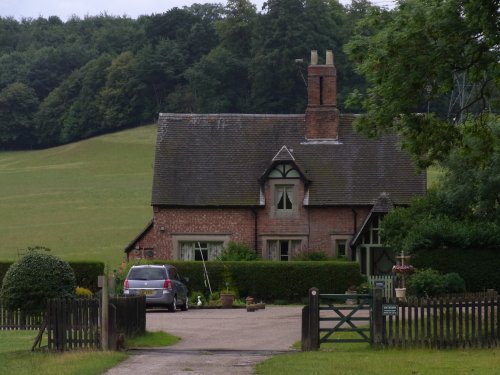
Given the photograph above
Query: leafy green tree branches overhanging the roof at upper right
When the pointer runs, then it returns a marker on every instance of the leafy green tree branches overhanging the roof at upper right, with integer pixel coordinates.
(415, 58)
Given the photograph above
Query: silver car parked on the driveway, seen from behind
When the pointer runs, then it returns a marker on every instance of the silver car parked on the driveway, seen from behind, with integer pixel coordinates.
(161, 284)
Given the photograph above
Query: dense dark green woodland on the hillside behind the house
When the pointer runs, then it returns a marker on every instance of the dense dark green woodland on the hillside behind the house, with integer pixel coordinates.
(64, 81)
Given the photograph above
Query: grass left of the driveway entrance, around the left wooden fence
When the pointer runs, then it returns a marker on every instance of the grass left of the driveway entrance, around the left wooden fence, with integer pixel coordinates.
(17, 359)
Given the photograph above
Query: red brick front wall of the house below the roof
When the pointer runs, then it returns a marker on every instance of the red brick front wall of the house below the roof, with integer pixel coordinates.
(317, 225)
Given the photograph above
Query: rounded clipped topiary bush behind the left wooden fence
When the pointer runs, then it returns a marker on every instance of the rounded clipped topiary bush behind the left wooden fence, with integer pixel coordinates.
(35, 278)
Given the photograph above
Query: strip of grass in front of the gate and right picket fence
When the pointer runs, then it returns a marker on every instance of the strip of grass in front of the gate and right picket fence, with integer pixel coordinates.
(354, 359)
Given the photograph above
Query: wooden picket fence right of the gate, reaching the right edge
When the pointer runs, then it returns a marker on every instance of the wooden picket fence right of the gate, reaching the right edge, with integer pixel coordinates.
(443, 323)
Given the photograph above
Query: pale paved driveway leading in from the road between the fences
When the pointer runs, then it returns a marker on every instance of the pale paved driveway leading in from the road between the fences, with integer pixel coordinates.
(215, 341)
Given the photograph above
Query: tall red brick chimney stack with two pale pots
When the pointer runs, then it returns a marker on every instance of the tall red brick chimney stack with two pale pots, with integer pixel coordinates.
(322, 115)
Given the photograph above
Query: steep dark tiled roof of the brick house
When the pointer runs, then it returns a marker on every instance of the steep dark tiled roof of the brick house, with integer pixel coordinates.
(217, 160)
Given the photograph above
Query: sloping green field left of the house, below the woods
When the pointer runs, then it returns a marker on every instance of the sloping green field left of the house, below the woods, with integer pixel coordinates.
(85, 200)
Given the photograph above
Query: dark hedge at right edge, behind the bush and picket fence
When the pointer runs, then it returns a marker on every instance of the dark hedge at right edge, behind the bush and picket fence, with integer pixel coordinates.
(478, 267)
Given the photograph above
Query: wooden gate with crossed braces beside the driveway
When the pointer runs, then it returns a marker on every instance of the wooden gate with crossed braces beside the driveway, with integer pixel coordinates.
(327, 315)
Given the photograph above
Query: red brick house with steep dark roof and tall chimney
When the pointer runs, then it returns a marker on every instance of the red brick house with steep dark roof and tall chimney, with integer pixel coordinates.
(279, 183)
